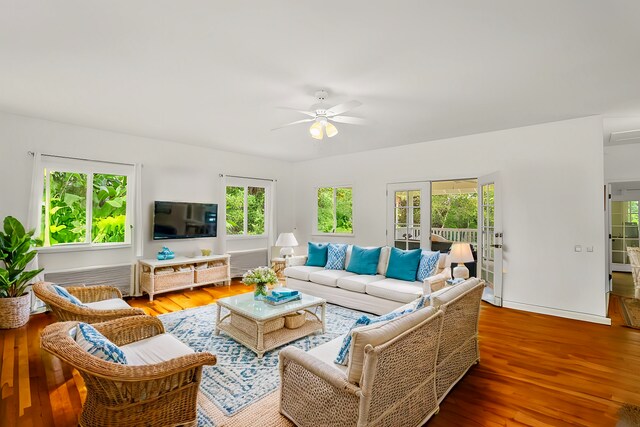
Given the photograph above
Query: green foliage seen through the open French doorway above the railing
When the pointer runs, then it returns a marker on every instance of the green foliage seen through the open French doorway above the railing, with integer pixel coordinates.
(454, 211)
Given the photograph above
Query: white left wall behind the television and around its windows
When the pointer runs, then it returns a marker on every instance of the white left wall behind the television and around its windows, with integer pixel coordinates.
(171, 171)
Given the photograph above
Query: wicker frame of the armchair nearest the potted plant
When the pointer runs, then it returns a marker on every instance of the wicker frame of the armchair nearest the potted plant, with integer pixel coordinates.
(64, 310)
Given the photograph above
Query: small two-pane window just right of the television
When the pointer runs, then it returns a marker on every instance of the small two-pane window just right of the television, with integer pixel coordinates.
(245, 210)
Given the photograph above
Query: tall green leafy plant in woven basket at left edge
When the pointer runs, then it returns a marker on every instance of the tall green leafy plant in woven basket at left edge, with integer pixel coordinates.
(15, 254)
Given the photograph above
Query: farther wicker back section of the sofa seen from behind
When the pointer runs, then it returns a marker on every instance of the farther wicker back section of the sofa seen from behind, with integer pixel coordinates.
(459, 347)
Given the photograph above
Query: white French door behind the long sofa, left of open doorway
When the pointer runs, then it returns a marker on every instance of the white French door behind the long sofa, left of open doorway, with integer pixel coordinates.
(409, 215)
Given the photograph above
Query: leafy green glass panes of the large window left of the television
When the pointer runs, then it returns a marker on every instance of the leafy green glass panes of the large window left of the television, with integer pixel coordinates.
(64, 208)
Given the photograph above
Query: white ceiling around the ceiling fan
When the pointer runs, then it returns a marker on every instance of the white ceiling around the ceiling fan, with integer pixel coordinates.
(212, 72)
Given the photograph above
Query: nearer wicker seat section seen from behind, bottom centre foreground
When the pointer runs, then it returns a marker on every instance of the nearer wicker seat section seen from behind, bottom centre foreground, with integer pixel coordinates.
(396, 387)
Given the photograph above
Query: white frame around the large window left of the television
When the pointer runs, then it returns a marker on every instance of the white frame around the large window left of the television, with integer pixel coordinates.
(88, 167)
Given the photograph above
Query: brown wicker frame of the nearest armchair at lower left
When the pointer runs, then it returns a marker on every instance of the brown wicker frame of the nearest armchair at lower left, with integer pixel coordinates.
(162, 394)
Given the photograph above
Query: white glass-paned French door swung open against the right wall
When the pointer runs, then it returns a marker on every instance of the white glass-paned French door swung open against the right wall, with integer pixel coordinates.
(490, 245)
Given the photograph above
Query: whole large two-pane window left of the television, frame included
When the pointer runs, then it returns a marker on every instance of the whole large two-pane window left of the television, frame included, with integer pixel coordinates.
(84, 203)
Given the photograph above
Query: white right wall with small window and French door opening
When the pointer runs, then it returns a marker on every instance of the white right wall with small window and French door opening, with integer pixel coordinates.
(552, 177)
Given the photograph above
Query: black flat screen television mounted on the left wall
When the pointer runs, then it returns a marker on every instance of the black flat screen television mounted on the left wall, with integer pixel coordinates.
(181, 220)
